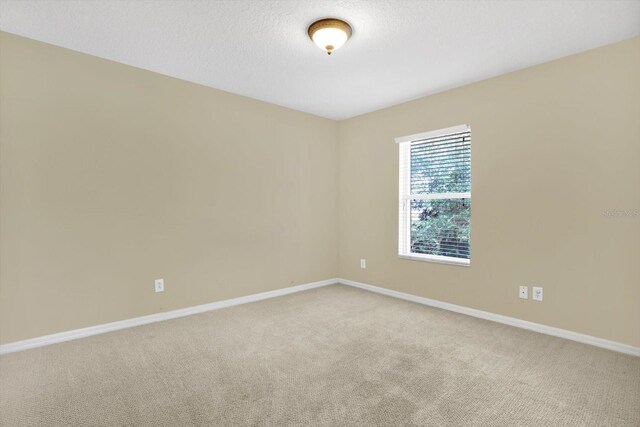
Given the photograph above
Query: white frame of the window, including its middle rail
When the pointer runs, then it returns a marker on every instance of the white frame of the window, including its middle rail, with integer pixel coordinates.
(405, 197)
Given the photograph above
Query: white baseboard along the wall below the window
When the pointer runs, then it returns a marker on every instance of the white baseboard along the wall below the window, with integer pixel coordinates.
(524, 324)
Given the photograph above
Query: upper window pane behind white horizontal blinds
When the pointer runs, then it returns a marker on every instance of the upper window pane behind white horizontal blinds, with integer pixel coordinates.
(441, 165)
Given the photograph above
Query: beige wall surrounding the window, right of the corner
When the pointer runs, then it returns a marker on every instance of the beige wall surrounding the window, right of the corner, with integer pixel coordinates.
(553, 146)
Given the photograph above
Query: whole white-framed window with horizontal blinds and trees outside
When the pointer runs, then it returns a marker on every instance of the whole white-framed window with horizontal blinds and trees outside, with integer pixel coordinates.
(435, 196)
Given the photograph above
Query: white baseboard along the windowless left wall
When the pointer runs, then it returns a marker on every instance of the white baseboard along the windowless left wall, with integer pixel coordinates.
(137, 321)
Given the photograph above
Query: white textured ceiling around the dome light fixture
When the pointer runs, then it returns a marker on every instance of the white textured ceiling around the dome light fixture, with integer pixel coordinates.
(400, 50)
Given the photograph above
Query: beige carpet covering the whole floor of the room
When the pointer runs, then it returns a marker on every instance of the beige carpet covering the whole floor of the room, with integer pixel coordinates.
(333, 356)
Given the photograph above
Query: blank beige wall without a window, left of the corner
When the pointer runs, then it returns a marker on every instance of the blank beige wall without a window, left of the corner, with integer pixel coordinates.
(112, 176)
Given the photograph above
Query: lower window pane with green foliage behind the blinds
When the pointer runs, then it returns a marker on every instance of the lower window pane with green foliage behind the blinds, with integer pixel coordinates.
(441, 227)
